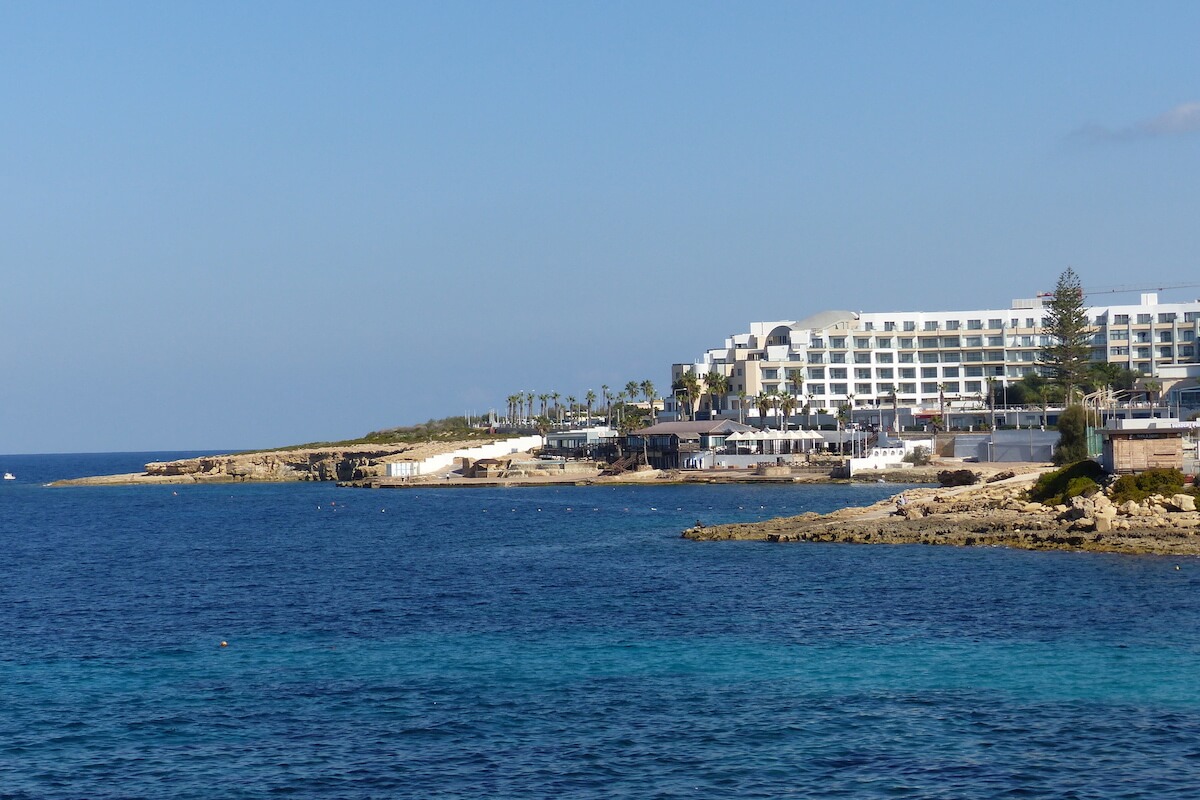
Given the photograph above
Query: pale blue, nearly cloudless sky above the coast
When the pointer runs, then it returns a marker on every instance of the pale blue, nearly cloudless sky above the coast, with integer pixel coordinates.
(247, 225)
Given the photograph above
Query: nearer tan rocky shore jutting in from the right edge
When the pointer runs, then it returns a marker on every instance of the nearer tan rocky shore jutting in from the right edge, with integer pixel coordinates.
(994, 515)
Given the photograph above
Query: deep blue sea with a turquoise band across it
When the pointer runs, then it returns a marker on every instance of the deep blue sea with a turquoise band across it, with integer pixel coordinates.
(253, 641)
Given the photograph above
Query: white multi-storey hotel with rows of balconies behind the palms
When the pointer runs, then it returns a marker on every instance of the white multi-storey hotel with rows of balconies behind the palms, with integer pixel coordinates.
(926, 358)
